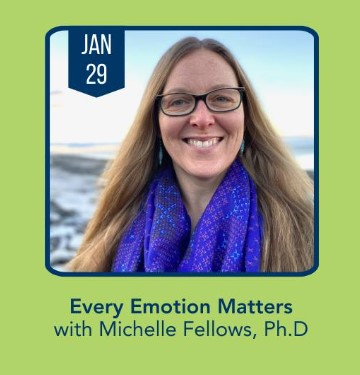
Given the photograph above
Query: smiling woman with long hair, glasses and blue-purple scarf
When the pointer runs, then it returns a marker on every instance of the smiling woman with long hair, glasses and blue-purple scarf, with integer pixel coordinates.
(201, 183)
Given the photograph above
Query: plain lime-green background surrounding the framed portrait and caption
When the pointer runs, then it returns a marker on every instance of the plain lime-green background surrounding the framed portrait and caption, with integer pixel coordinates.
(33, 300)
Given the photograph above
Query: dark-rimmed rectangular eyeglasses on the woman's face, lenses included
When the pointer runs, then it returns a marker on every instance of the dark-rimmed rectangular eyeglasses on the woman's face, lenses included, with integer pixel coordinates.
(221, 100)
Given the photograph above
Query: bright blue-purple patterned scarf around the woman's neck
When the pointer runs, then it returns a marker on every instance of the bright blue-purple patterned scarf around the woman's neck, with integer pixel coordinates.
(227, 237)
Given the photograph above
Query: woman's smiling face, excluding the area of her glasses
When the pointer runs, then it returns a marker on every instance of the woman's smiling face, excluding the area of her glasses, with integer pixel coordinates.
(202, 144)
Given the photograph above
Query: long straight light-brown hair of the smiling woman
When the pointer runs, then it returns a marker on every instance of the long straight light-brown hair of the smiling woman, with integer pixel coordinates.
(285, 192)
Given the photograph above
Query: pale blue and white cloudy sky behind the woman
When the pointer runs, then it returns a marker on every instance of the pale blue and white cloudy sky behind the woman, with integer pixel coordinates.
(280, 65)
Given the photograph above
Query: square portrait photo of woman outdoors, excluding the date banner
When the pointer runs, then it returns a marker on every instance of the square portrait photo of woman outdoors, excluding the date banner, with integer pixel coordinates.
(203, 164)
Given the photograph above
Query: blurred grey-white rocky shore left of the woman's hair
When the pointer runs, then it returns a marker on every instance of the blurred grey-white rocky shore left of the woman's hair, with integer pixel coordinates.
(74, 188)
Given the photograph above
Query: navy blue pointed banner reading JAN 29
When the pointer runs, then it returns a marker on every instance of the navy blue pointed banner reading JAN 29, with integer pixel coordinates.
(96, 59)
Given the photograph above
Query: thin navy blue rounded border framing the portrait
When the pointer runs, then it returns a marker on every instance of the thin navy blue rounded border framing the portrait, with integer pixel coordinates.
(182, 274)
